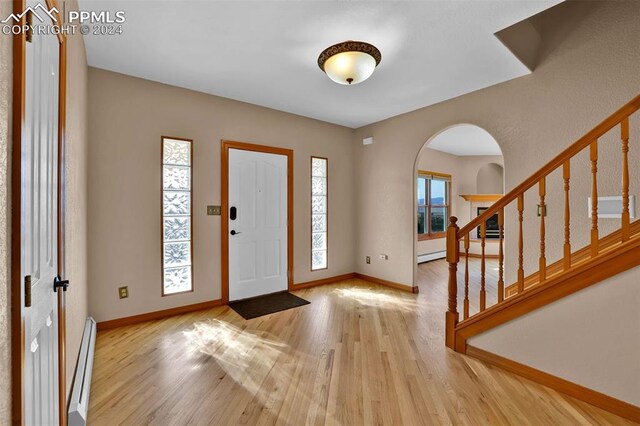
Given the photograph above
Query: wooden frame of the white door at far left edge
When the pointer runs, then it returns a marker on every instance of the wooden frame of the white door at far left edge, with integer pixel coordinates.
(17, 289)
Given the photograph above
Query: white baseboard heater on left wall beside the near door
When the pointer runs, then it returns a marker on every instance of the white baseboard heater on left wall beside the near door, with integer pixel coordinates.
(79, 403)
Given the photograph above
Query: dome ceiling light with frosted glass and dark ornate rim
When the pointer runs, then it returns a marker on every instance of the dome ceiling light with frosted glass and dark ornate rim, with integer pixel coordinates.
(349, 62)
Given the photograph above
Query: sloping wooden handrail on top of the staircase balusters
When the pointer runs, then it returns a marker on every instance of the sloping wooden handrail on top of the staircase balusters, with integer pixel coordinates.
(598, 131)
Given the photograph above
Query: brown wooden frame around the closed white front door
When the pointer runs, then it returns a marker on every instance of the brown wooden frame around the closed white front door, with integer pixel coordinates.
(225, 145)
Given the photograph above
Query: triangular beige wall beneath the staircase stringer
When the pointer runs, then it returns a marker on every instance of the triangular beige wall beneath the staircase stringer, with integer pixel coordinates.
(590, 338)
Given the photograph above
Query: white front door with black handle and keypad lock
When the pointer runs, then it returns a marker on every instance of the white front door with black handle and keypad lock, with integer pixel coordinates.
(257, 223)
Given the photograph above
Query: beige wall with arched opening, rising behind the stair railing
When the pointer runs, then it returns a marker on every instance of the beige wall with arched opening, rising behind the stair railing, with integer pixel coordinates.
(588, 69)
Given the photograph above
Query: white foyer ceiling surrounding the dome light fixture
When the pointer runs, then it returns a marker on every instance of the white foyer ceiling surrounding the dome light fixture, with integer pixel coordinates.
(265, 52)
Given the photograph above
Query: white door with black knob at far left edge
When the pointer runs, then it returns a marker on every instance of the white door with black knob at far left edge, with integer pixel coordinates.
(39, 229)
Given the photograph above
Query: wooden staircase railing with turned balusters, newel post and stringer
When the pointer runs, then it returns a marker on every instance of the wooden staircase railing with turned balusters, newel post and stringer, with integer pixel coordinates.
(577, 269)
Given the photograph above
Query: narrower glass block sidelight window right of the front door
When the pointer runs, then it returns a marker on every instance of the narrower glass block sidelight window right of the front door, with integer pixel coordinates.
(318, 213)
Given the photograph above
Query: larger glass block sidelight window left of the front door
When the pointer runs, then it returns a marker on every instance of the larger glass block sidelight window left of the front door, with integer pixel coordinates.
(176, 216)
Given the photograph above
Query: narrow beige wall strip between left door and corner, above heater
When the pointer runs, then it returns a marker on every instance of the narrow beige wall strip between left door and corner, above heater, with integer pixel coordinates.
(76, 191)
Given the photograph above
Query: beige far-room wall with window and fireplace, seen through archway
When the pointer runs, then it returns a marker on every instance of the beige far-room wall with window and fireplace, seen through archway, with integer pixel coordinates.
(464, 172)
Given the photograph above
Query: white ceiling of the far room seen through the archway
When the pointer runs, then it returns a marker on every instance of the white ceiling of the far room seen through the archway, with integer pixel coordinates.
(465, 139)
